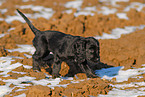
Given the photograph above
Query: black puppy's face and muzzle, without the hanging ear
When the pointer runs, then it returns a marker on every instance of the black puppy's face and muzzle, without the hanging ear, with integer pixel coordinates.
(92, 50)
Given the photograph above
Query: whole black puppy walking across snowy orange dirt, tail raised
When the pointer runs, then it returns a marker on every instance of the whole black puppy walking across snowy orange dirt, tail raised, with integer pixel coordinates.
(78, 52)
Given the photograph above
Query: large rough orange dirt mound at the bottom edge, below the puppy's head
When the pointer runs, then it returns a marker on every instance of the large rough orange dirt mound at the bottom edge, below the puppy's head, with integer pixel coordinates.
(91, 87)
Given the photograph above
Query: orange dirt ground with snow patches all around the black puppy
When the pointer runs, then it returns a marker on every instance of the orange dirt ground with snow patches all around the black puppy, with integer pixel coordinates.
(118, 25)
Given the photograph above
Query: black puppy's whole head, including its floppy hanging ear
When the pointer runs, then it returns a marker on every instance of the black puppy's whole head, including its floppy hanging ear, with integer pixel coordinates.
(87, 49)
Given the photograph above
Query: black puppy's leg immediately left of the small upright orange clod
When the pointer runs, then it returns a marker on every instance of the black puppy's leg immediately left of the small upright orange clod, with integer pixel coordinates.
(56, 67)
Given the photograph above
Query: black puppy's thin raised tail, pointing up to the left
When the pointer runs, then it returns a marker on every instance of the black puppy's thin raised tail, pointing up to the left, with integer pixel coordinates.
(34, 30)
